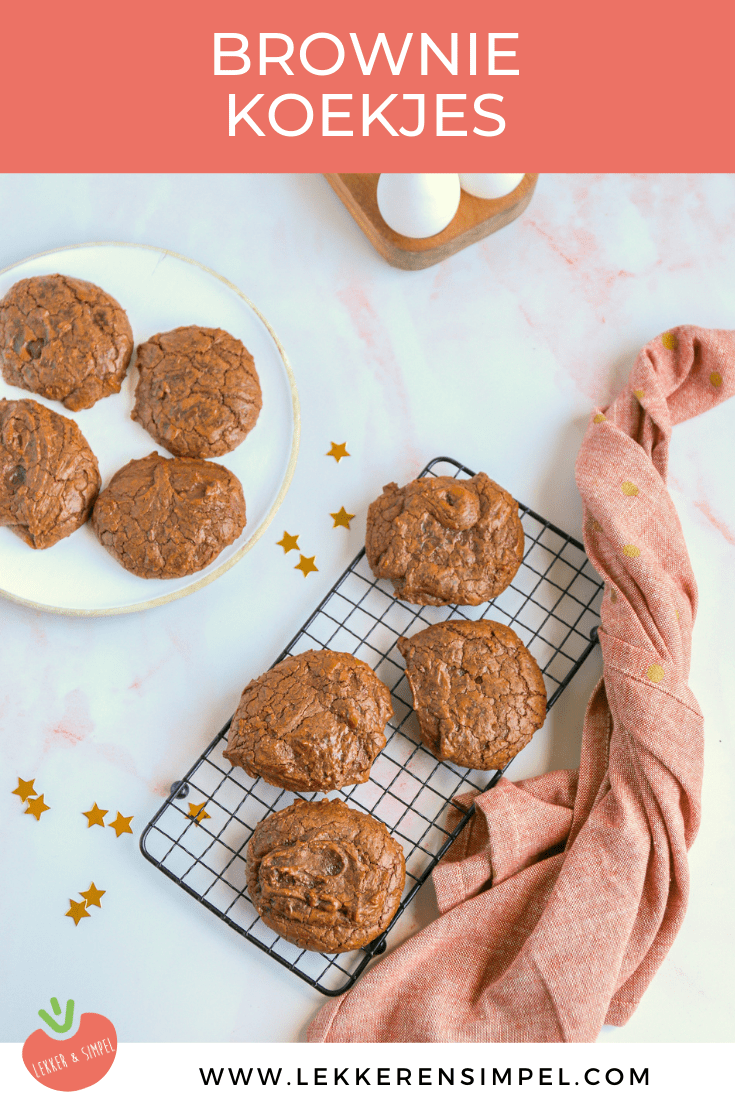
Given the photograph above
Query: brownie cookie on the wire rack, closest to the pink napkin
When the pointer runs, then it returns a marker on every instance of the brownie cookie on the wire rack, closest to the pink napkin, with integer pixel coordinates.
(479, 694)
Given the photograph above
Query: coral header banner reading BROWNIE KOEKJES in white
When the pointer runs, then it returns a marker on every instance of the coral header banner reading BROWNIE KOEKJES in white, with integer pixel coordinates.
(155, 87)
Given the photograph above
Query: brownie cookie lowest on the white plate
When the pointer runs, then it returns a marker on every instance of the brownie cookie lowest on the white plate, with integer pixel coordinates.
(168, 518)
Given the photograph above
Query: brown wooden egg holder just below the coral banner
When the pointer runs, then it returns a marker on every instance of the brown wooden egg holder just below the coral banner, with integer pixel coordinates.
(475, 220)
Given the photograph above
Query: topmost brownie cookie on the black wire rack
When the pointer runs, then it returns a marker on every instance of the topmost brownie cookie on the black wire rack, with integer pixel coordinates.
(445, 541)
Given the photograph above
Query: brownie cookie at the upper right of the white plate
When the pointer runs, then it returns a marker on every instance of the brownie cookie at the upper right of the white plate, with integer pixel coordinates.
(199, 392)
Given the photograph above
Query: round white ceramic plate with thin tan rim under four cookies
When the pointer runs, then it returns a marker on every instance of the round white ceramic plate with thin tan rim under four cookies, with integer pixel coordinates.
(160, 291)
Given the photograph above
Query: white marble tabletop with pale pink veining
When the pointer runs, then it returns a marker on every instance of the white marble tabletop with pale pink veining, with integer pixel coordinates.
(496, 358)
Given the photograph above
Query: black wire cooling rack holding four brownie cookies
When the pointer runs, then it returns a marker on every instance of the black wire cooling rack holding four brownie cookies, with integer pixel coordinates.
(553, 606)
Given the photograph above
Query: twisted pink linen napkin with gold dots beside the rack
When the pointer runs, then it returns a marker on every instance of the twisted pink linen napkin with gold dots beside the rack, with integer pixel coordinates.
(564, 895)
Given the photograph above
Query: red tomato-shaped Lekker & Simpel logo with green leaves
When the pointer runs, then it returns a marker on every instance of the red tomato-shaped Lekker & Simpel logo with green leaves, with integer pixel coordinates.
(71, 1064)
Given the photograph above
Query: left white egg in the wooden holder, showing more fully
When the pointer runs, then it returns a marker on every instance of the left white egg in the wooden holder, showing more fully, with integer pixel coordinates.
(418, 204)
